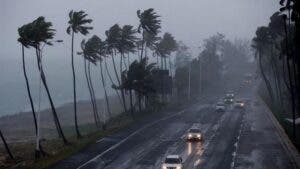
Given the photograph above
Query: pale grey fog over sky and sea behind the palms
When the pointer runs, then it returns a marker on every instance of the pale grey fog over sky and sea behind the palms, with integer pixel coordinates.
(190, 21)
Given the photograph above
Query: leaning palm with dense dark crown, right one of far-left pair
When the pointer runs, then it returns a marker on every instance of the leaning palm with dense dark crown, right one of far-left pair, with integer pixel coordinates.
(39, 34)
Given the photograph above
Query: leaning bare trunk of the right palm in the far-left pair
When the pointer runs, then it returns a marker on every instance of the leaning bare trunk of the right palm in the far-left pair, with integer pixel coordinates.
(43, 78)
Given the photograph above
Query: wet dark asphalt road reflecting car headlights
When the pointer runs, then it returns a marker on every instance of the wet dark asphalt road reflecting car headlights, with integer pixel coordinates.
(232, 139)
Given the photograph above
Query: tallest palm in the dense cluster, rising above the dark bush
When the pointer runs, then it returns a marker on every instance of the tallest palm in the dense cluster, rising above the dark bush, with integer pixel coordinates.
(149, 23)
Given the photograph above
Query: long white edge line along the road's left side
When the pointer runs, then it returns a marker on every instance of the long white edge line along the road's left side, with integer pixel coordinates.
(124, 140)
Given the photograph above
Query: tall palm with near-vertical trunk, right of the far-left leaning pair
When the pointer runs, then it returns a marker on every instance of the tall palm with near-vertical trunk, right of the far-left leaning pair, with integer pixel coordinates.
(77, 24)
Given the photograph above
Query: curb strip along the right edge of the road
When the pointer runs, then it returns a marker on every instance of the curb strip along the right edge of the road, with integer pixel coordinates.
(285, 141)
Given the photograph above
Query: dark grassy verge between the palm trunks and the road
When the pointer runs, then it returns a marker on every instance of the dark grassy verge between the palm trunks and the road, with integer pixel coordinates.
(24, 152)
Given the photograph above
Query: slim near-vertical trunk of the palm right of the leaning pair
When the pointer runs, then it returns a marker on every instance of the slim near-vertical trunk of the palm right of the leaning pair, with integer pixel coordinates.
(74, 88)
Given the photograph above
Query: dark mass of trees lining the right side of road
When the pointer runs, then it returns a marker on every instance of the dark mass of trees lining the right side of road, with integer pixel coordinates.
(277, 50)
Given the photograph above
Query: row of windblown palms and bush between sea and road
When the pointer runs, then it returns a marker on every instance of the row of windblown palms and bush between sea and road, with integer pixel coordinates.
(132, 80)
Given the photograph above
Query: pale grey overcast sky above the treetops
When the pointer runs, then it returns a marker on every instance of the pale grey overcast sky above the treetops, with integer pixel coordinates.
(189, 20)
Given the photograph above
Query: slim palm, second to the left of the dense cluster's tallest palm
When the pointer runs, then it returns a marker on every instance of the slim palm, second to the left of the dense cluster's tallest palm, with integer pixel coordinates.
(113, 38)
